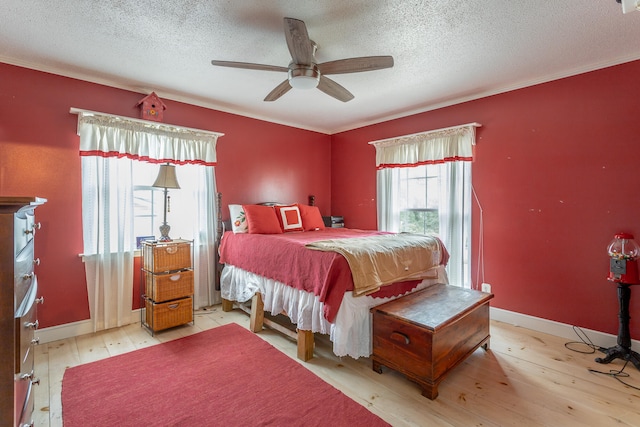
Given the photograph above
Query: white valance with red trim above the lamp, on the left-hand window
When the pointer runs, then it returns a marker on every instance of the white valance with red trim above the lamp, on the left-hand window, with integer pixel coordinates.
(116, 136)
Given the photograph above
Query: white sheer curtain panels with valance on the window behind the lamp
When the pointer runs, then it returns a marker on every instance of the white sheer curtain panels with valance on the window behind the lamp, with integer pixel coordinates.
(107, 146)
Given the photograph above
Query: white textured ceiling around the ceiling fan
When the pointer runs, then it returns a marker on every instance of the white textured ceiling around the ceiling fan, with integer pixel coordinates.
(445, 51)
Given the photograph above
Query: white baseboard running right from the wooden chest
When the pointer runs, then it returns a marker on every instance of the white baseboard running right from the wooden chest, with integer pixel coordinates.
(558, 329)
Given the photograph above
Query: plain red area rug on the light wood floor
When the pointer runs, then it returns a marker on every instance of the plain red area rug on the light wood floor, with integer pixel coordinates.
(226, 376)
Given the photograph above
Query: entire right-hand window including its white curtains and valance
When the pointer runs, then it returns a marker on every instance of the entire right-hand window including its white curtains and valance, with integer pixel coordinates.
(424, 186)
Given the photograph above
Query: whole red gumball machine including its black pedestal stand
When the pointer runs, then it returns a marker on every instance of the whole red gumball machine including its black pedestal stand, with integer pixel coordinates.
(623, 270)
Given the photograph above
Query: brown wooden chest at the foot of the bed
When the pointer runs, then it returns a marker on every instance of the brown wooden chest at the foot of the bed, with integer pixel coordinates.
(426, 334)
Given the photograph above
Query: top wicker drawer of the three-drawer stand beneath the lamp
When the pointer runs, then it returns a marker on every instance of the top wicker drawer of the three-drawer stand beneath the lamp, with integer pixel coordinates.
(169, 256)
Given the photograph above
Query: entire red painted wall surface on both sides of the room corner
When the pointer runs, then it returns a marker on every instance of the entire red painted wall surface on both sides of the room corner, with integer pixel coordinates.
(554, 173)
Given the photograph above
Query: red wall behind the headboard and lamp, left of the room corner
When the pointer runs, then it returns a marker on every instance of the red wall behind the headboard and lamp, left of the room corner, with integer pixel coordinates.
(258, 161)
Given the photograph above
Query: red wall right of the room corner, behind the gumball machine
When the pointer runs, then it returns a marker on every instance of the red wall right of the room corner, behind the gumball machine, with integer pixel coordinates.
(556, 176)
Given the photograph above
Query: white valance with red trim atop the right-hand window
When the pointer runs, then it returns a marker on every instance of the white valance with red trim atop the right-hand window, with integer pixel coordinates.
(437, 146)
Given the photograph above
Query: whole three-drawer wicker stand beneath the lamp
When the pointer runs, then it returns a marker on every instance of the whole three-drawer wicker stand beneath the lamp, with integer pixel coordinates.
(167, 269)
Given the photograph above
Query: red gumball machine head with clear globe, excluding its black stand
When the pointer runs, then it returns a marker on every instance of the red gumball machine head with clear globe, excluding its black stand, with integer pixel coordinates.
(623, 251)
